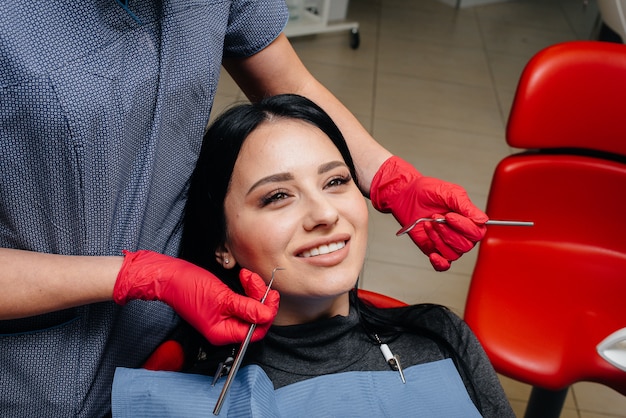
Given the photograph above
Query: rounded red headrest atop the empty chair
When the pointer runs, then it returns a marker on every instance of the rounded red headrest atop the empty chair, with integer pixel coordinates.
(572, 95)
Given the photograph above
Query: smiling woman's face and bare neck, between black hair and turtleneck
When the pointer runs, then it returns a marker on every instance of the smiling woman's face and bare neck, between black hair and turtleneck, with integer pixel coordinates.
(293, 204)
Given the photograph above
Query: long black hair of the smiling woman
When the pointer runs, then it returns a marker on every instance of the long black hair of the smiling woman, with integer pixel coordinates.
(204, 229)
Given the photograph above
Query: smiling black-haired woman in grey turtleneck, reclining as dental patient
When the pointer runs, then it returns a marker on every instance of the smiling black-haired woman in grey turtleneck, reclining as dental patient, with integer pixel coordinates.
(275, 186)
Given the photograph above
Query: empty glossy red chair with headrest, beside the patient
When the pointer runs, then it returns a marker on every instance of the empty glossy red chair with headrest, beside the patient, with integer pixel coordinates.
(542, 298)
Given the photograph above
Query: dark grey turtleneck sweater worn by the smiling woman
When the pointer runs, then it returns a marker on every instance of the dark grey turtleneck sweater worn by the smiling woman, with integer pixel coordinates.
(289, 354)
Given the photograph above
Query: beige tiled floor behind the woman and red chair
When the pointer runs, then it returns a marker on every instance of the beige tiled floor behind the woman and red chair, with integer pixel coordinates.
(434, 85)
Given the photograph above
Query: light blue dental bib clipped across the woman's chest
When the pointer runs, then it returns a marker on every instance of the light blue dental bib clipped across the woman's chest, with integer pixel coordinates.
(432, 390)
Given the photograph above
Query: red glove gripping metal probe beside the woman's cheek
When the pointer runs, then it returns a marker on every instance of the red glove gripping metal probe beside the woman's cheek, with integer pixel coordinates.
(218, 313)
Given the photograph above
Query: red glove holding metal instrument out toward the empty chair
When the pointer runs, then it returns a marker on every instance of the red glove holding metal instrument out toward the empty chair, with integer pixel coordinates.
(400, 189)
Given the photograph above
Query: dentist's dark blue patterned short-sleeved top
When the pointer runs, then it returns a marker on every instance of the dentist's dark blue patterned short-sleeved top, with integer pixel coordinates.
(101, 120)
